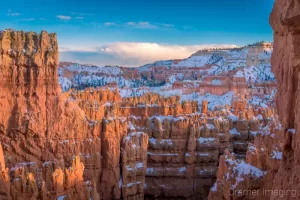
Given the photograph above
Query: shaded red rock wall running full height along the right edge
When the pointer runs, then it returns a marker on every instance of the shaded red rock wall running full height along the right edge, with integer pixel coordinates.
(285, 21)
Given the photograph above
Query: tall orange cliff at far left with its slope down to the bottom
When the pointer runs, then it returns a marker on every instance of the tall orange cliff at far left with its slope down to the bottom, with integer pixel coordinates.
(35, 118)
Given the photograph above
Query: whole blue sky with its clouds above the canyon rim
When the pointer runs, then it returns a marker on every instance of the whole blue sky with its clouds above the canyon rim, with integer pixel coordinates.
(105, 27)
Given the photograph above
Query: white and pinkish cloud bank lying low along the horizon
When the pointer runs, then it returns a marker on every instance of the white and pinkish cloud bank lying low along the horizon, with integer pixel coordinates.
(131, 54)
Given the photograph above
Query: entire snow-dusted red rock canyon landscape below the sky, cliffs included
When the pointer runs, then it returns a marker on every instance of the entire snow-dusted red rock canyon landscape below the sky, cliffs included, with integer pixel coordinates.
(198, 128)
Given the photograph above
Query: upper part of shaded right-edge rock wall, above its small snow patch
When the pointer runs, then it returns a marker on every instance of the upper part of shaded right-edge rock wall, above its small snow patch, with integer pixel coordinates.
(285, 20)
